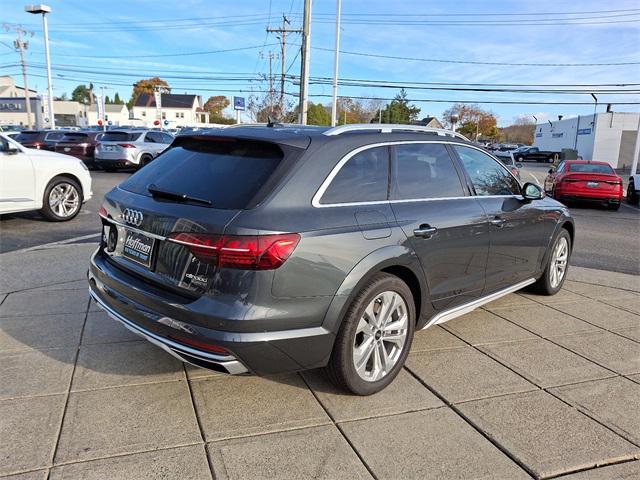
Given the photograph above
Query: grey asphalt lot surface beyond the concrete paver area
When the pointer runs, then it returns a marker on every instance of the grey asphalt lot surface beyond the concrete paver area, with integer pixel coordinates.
(605, 240)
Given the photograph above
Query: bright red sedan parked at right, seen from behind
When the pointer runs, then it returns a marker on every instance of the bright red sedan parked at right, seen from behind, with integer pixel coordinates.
(583, 180)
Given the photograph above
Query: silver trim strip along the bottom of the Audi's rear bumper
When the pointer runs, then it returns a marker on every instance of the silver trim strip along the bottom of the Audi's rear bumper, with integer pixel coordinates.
(234, 367)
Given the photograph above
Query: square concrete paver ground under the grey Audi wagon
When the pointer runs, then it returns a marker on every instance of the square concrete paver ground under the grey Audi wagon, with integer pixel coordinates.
(528, 387)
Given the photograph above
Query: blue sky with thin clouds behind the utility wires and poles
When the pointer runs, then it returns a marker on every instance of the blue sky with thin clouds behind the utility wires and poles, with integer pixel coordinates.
(82, 30)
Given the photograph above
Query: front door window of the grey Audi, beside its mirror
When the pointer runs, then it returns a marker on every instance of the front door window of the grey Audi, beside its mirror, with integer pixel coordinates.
(487, 175)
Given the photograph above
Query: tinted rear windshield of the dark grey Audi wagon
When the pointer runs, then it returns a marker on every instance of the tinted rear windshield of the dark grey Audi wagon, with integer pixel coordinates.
(227, 172)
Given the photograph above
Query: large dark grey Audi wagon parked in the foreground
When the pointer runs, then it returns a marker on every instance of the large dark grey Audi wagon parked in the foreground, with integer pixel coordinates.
(265, 250)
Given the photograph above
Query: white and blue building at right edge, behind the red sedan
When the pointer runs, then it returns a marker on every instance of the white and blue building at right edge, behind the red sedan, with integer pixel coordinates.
(608, 137)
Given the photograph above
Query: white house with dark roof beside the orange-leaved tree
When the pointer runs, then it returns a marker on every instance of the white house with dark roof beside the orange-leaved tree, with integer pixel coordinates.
(177, 109)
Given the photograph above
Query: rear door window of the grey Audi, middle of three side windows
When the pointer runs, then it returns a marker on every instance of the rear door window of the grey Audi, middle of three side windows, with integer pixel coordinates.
(424, 171)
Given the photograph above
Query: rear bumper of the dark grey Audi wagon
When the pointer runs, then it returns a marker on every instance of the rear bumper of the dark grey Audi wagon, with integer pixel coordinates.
(151, 313)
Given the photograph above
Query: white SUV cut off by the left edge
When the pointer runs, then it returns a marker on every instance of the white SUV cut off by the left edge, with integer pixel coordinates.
(31, 179)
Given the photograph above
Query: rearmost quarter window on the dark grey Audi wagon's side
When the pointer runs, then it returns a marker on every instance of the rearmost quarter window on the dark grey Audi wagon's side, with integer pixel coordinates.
(364, 178)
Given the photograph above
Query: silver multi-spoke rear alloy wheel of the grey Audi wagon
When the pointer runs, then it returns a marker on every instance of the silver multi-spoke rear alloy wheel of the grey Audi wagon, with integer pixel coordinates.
(380, 336)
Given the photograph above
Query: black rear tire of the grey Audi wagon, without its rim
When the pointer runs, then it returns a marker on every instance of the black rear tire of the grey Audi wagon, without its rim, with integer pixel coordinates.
(341, 369)
